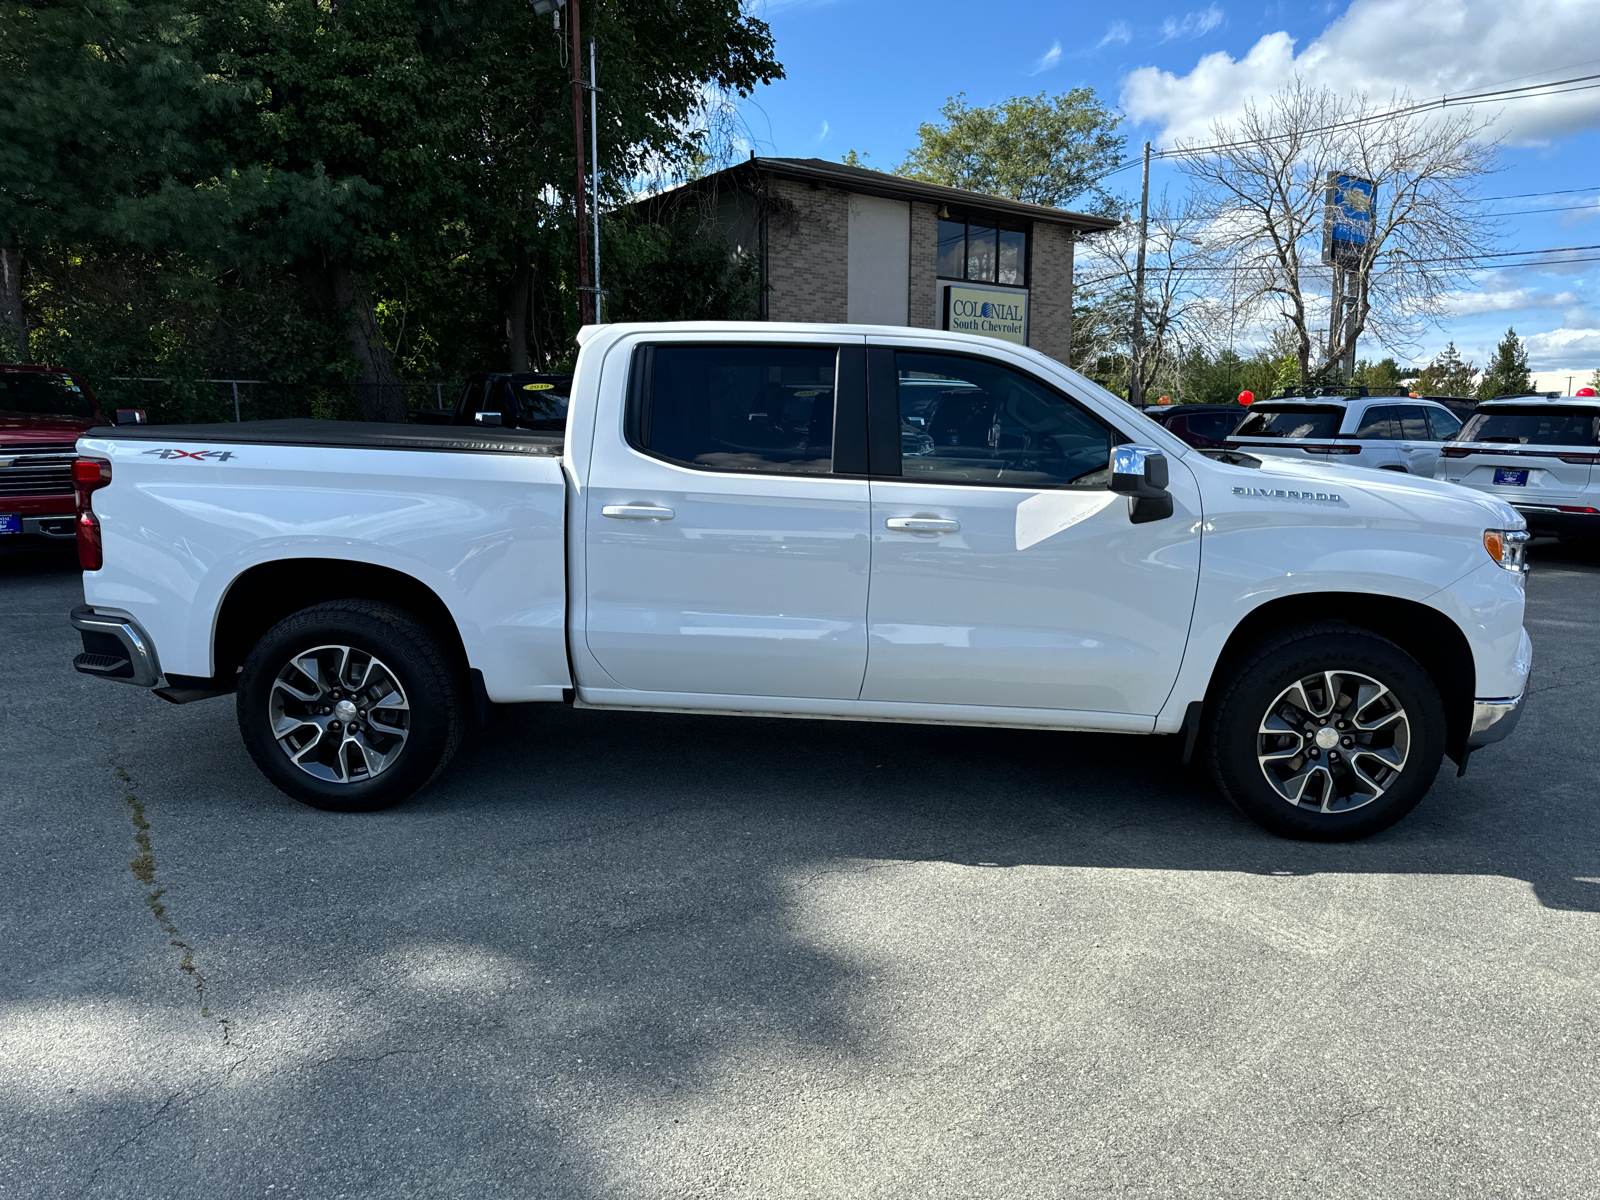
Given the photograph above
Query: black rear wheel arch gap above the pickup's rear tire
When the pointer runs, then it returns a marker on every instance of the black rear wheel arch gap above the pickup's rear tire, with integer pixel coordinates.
(268, 593)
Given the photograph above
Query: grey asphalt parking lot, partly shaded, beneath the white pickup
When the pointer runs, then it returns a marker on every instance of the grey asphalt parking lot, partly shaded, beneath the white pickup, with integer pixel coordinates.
(654, 956)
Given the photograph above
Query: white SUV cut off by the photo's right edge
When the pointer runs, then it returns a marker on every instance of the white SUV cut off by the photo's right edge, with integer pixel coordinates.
(1535, 454)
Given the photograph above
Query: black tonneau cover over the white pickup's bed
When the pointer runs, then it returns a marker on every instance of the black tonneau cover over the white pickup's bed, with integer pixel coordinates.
(345, 434)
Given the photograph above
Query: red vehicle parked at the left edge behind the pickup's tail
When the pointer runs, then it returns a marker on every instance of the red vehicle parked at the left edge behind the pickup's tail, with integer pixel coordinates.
(44, 412)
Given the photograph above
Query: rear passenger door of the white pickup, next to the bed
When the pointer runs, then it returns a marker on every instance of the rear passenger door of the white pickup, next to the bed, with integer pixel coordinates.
(726, 548)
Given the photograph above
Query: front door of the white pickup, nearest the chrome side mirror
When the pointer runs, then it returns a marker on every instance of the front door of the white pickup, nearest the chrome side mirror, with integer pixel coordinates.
(1004, 570)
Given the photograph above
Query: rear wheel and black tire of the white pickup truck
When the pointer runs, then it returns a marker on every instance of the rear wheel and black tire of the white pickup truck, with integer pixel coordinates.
(414, 724)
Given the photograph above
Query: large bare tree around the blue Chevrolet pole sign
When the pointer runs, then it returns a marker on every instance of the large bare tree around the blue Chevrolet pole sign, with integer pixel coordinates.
(1265, 180)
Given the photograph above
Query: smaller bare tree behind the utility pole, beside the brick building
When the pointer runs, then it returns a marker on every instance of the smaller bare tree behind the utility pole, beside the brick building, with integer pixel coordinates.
(1178, 311)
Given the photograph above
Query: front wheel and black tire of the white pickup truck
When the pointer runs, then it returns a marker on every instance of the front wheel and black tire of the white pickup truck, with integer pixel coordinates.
(1385, 761)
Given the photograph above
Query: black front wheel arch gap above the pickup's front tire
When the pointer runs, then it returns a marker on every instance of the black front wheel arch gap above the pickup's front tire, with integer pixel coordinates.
(1426, 634)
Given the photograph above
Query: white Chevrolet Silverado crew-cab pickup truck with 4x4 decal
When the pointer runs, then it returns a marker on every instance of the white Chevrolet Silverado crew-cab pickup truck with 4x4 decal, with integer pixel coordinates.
(809, 521)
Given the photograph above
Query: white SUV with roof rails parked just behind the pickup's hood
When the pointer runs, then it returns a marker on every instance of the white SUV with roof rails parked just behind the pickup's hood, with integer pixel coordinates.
(1386, 433)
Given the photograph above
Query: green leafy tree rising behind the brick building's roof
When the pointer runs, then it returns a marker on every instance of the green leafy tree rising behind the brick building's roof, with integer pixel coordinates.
(1041, 150)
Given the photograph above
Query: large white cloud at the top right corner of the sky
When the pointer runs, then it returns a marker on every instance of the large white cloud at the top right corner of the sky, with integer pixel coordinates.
(1386, 47)
